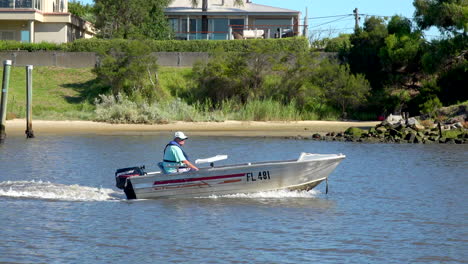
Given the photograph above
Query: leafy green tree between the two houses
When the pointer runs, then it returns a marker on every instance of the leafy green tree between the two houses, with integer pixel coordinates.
(132, 19)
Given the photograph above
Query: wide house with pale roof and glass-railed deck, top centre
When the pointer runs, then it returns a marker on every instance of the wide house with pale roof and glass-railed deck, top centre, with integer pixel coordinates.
(222, 19)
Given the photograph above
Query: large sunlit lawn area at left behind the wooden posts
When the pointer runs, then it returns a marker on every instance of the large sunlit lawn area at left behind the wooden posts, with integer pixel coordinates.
(57, 93)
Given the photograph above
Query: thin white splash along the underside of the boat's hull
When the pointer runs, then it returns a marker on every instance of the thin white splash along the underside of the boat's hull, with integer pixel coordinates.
(271, 194)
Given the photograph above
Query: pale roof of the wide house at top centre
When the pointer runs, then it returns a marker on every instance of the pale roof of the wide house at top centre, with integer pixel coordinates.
(217, 7)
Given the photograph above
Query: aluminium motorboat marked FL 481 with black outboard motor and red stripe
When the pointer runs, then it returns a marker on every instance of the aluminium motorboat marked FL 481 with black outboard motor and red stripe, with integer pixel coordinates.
(302, 174)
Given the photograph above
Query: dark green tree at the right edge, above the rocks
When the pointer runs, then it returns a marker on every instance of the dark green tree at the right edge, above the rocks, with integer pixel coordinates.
(445, 58)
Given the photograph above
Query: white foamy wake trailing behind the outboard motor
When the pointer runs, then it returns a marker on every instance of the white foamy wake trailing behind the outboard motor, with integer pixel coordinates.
(57, 192)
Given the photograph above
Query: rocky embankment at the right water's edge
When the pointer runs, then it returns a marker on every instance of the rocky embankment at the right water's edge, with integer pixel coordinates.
(395, 129)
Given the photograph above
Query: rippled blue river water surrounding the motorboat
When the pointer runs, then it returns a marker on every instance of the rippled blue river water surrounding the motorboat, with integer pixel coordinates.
(387, 203)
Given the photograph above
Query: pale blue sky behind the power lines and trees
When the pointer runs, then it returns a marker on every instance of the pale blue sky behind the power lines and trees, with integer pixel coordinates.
(329, 27)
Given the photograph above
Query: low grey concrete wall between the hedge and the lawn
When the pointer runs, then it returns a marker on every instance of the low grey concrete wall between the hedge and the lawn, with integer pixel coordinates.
(89, 59)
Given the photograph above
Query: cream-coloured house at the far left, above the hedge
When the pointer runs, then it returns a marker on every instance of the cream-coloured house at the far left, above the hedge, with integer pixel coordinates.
(41, 20)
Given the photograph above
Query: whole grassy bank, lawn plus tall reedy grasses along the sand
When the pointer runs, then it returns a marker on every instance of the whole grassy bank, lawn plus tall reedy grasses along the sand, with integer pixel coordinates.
(68, 94)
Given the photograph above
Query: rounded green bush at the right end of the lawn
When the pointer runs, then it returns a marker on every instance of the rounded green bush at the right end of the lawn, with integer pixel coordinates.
(130, 70)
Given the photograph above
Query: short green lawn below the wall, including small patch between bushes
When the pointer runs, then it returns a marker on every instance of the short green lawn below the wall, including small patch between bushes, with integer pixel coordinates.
(68, 94)
